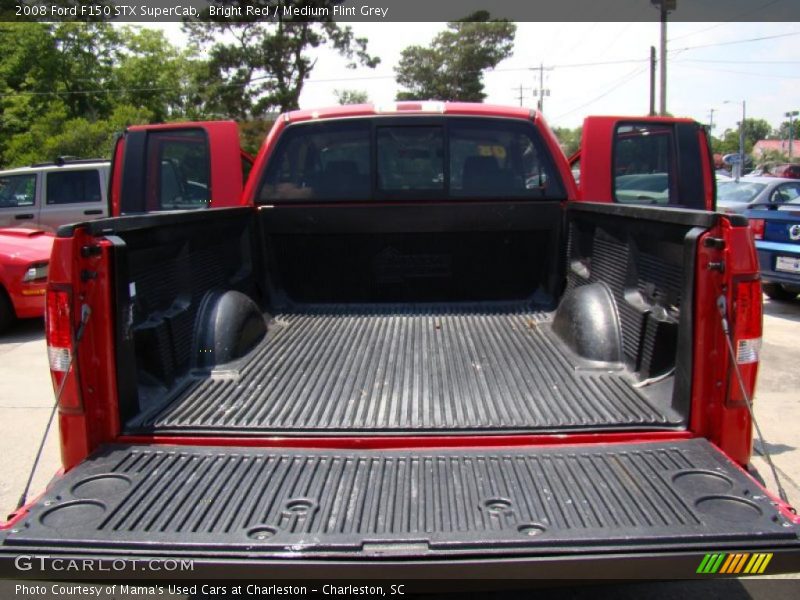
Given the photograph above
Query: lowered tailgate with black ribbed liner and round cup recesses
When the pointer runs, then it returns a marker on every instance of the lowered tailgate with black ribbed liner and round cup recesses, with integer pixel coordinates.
(591, 498)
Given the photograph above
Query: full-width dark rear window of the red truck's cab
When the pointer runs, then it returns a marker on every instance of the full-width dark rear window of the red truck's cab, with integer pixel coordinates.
(410, 158)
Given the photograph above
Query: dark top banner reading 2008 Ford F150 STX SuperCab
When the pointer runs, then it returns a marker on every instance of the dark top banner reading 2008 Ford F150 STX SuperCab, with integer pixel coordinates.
(397, 10)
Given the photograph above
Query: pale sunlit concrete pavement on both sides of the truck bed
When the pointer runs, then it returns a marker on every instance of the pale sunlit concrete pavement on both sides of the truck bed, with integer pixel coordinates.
(26, 399)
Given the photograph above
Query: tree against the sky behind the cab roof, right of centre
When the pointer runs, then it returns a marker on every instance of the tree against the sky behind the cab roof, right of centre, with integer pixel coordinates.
(452, 67)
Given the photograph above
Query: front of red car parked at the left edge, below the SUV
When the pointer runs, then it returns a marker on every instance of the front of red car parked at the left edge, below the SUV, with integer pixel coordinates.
(24, 259)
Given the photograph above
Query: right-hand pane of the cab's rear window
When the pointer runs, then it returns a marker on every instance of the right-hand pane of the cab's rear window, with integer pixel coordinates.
(498, 159)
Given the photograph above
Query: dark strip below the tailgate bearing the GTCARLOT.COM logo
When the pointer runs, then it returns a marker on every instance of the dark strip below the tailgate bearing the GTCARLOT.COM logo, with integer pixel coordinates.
(40, 564)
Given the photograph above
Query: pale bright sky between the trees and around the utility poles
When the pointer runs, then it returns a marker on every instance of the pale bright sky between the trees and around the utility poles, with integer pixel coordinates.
(708, 64)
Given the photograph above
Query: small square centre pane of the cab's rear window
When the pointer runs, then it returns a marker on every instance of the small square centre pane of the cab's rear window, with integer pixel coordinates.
(410, 159)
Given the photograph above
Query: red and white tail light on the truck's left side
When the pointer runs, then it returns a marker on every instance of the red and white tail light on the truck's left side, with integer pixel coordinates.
(58, 328)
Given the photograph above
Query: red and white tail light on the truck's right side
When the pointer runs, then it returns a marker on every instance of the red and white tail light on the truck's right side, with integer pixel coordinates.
(746, 331)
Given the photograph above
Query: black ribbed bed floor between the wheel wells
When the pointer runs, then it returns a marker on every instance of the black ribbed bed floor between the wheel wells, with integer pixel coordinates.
(408, 370)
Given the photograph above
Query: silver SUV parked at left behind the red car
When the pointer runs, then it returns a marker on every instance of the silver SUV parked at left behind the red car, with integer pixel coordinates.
(49, 195)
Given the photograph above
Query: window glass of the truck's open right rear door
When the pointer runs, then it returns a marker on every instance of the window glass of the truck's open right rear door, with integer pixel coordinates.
(644, 164)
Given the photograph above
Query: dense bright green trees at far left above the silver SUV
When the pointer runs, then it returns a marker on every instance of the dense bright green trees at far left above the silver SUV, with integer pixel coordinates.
(67, 88)
